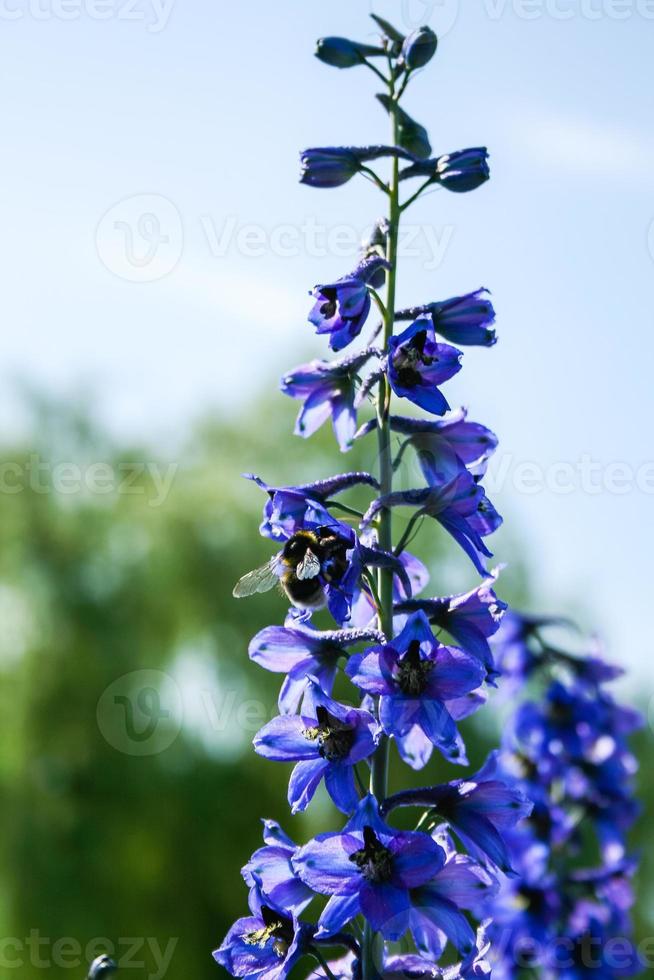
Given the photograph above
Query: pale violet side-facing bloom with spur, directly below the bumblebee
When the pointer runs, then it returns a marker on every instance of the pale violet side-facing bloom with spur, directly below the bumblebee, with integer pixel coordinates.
(302, 652)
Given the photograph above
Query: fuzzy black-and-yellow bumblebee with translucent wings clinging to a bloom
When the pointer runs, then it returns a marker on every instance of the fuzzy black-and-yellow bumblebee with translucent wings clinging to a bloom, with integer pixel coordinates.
(308, 562)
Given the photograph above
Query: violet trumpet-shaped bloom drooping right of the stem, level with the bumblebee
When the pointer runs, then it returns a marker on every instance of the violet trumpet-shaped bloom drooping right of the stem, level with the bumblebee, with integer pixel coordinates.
(461, 507)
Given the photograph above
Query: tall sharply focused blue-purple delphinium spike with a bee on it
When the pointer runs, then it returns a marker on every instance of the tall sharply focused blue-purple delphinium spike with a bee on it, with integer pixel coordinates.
(384, 667)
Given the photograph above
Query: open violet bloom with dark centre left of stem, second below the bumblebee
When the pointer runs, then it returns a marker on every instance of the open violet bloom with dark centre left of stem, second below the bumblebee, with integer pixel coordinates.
(326, 743)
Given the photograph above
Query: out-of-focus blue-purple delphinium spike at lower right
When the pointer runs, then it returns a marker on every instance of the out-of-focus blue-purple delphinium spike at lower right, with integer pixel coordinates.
(567, 749)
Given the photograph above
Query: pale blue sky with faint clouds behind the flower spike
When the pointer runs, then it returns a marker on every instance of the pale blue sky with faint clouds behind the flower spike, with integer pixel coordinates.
(157, 248)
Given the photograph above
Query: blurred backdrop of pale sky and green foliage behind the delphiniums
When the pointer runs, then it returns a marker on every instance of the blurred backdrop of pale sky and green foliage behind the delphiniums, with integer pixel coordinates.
(157, 252)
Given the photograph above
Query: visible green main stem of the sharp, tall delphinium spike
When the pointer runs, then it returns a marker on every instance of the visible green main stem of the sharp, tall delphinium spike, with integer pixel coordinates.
(372, 943)
